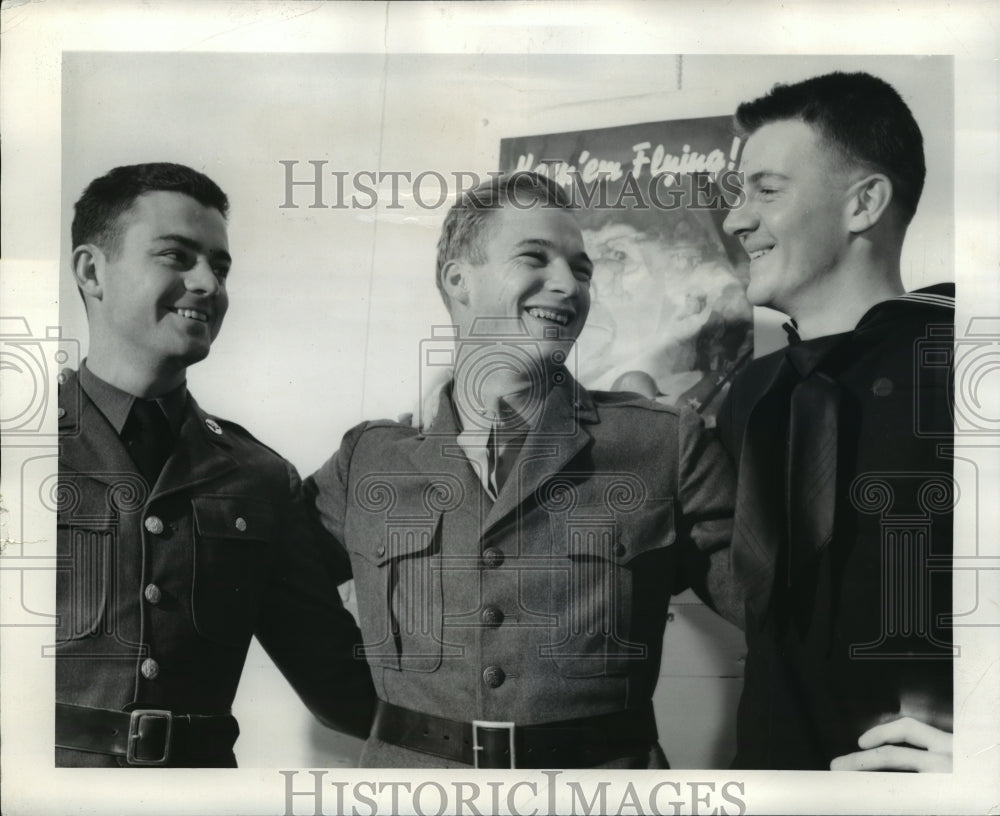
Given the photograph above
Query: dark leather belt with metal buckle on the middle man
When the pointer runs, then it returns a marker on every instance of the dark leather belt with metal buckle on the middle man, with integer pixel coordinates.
(579, 743)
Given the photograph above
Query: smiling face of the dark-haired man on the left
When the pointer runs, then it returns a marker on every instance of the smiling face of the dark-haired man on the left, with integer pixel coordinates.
(160, 294)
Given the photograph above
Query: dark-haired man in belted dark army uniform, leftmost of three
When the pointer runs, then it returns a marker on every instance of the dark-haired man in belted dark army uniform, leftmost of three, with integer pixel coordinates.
(180, 535)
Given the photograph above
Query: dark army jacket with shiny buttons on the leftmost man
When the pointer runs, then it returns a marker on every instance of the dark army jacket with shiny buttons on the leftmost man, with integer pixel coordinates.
(160, 590)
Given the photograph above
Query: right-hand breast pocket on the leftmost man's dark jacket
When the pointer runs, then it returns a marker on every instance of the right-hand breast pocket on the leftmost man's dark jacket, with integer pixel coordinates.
(235, 555)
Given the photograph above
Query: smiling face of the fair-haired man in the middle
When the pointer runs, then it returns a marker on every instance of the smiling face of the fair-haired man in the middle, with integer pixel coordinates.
(537, 272)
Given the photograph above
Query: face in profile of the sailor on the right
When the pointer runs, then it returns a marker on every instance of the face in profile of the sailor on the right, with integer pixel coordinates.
(794, 224)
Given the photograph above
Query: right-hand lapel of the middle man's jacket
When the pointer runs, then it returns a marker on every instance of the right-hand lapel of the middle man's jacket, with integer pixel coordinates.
(561, 434)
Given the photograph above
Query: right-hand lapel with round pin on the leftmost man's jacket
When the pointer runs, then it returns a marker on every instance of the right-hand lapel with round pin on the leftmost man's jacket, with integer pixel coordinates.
(199, 455)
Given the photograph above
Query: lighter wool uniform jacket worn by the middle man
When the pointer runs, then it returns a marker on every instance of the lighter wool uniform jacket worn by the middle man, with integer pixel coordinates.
(550, 603)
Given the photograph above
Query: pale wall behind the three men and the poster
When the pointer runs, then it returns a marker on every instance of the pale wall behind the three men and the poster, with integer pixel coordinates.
(328, 307)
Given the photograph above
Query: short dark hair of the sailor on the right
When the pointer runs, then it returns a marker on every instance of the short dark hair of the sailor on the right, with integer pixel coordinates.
(863, 116)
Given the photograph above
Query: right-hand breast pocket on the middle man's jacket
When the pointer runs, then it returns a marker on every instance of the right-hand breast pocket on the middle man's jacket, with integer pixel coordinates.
(611, 593)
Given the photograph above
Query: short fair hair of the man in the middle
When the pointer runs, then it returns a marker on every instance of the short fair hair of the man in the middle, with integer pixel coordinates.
(466, 221)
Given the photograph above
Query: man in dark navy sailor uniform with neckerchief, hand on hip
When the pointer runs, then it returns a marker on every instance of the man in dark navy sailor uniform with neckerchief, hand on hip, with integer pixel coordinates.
(842, 540)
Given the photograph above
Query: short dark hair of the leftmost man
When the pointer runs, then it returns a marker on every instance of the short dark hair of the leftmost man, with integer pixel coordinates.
(97, 217)
